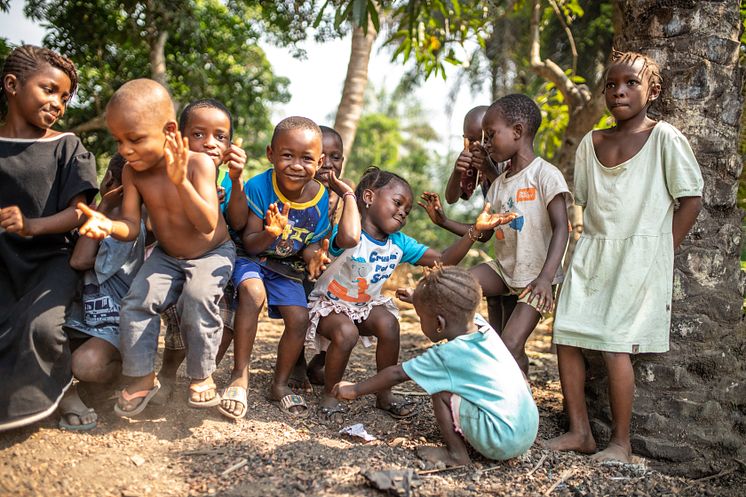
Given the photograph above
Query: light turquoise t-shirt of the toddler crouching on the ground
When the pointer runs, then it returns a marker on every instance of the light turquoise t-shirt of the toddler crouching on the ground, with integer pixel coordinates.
(497, 413)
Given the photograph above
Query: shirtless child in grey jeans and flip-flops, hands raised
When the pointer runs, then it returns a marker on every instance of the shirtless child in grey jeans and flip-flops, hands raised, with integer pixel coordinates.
(194, 258)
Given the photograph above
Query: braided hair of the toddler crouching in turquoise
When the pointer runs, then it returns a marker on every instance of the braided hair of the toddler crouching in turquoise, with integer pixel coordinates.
(450, 291)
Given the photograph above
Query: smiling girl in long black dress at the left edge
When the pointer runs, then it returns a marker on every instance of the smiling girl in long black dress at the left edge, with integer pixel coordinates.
(43, 175)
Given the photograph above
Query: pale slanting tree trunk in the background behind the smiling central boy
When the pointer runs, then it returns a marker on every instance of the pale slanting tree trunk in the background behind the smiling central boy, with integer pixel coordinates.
(351, 105)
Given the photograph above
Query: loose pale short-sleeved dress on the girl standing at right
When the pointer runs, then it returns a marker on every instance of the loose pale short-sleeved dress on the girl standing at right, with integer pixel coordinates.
(617, 294)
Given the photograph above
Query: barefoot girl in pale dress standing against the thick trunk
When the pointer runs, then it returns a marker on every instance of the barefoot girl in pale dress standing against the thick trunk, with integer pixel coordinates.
(617, 297)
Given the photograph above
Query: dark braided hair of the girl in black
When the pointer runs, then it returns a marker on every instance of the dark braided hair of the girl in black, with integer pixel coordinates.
(27, 59)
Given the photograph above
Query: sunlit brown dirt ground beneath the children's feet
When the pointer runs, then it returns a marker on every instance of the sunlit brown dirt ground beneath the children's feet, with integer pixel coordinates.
(175, 450)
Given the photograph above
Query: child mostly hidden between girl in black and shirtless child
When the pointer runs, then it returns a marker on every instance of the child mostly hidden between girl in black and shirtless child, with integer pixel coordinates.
(93, 326)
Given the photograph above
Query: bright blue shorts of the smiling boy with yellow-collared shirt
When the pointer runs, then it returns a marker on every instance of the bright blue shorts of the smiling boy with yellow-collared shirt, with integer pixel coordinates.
(280, 289)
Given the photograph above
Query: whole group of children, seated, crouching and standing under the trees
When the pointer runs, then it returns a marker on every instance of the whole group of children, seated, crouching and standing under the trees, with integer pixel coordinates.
(175, 235)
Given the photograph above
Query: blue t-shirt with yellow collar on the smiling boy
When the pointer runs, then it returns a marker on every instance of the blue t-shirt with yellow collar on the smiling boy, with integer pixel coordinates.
(308, 222)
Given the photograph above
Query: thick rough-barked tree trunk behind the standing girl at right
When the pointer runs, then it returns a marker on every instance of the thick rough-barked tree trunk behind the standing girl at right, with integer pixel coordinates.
(690, 402)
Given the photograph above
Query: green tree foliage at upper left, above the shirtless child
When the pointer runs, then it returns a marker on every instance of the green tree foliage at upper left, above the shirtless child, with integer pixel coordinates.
(211, 51)
